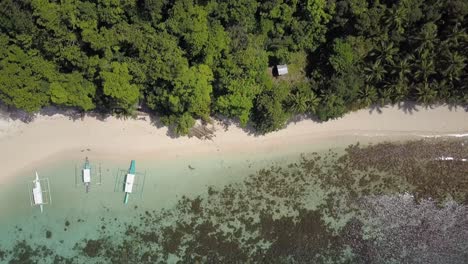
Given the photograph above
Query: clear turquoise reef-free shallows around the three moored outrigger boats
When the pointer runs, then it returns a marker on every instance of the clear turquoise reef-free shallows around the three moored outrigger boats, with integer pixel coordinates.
(75, 215)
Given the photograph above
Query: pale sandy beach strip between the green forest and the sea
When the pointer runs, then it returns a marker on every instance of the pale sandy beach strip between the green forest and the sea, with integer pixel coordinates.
(49, 136)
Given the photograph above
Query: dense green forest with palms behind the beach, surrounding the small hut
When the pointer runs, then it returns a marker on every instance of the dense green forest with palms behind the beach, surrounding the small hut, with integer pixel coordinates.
(192, 59)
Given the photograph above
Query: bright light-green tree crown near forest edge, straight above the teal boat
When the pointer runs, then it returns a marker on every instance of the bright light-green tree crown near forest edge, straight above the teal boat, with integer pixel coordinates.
(116, 83)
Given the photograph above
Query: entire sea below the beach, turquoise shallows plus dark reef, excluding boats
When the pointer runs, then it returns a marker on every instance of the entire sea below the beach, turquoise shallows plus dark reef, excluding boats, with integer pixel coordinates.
(328, 207)
